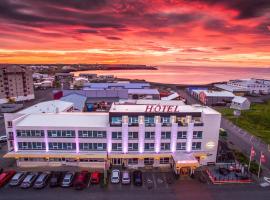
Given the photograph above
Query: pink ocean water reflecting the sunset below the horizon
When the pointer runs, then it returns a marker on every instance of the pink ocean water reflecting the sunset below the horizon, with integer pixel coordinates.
(187, 75)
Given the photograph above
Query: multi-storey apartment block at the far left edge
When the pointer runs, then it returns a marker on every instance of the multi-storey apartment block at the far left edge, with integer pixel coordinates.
(16, 83)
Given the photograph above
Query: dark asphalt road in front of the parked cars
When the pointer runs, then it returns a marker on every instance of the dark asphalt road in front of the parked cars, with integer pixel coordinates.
(182, 190)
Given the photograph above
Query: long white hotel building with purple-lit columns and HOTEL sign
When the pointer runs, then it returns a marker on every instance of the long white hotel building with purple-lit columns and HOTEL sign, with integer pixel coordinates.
(179, 136)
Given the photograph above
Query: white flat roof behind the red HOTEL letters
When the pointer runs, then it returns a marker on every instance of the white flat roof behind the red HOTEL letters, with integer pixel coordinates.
(124, 108)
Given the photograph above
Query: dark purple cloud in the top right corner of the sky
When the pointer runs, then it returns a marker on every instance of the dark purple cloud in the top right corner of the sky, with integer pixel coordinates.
(246, 8)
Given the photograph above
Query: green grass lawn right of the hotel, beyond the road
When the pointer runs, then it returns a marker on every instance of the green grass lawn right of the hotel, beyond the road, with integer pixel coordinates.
(256, 120)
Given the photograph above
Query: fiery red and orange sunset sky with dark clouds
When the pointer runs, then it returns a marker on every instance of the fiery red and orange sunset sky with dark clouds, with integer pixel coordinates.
(154, 32)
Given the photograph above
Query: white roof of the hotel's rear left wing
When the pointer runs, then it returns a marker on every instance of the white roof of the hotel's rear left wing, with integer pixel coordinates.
(48, 107)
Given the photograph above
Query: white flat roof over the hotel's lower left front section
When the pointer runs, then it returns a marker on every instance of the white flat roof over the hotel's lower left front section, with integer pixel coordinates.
(68, 119)
